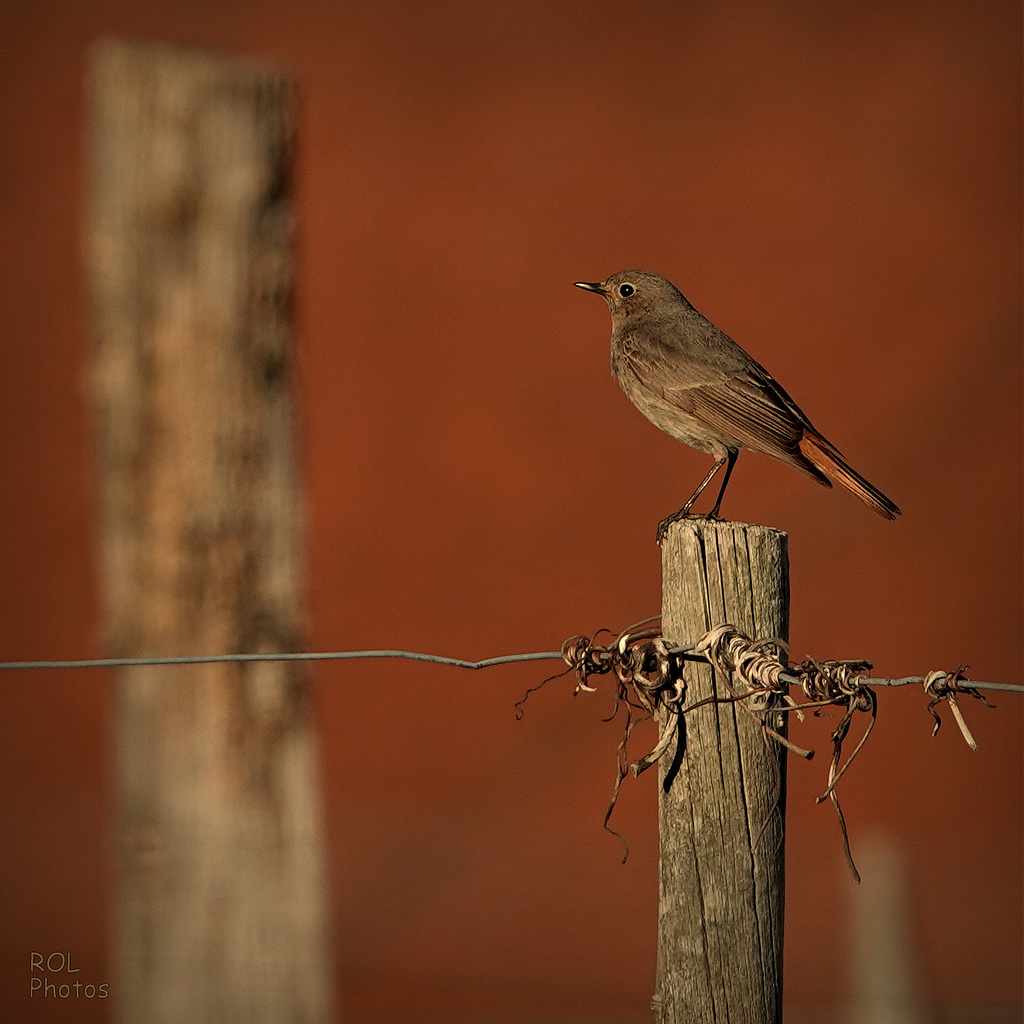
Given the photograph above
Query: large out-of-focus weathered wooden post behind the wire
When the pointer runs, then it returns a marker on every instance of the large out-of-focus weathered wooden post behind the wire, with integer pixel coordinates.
(222, 912)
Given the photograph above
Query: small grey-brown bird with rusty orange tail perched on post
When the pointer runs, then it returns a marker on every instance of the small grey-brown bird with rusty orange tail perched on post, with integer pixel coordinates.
(696, 383)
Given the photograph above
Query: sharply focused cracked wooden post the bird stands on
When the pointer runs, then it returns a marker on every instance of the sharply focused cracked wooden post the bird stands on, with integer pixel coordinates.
(722, 881)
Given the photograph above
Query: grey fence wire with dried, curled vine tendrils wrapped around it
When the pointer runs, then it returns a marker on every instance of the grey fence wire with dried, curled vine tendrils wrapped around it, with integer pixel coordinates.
(650, 679)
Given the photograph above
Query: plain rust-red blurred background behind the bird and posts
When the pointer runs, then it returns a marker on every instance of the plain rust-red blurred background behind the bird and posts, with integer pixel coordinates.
(837, 187)
